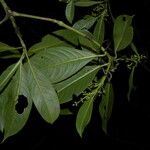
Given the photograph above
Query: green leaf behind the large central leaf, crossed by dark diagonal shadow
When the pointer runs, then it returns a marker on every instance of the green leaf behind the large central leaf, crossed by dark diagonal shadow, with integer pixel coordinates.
(61, 37)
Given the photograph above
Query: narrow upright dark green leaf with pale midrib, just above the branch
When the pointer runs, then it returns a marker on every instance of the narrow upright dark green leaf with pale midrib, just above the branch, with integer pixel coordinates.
(99, 30)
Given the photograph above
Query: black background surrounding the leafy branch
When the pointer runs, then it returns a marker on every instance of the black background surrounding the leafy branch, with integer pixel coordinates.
(129, 126)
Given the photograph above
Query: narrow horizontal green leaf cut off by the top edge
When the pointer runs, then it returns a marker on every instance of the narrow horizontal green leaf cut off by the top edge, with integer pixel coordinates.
(86, 3)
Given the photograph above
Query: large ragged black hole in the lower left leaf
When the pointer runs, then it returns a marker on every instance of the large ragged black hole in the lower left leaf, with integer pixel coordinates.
(22, 104)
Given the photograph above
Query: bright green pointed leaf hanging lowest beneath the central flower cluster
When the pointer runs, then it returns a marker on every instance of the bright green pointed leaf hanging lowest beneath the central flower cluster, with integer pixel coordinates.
(84, 116)
